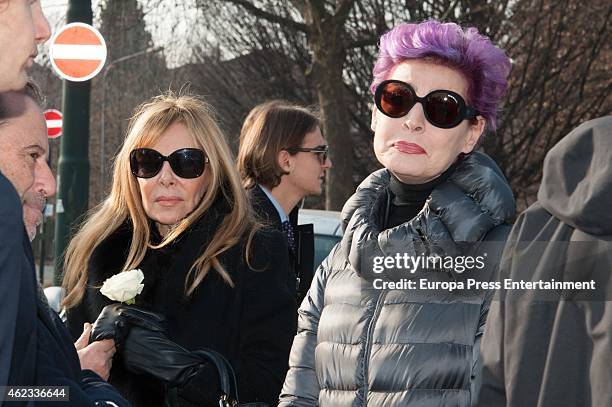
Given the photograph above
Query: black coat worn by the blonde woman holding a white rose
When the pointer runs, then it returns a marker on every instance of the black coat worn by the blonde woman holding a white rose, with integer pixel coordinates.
(251, 324)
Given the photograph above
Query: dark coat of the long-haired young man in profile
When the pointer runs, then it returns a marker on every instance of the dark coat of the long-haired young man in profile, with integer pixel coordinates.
(301, 262)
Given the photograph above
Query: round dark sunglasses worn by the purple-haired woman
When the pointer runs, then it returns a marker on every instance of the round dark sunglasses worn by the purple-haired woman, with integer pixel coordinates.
(442, 108)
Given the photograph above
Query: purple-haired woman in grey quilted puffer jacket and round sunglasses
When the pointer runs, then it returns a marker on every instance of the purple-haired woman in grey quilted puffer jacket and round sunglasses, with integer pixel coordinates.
(389, 319)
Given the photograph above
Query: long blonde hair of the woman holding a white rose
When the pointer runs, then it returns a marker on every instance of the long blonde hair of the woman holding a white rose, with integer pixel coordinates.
(147, 125)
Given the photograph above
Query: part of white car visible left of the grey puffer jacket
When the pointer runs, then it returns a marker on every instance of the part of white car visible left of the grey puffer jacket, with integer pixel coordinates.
(327, 230)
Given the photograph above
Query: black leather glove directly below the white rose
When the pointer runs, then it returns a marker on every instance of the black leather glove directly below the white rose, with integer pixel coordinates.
(115, 320)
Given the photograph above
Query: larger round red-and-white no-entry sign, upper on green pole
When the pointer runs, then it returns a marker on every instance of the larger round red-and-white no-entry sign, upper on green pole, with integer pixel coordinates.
(77, 52)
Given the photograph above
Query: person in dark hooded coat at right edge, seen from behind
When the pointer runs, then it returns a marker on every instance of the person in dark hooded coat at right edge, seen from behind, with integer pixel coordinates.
(543, 349)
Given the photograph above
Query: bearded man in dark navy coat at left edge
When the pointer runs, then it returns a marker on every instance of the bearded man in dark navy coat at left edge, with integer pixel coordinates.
(41, 352)
